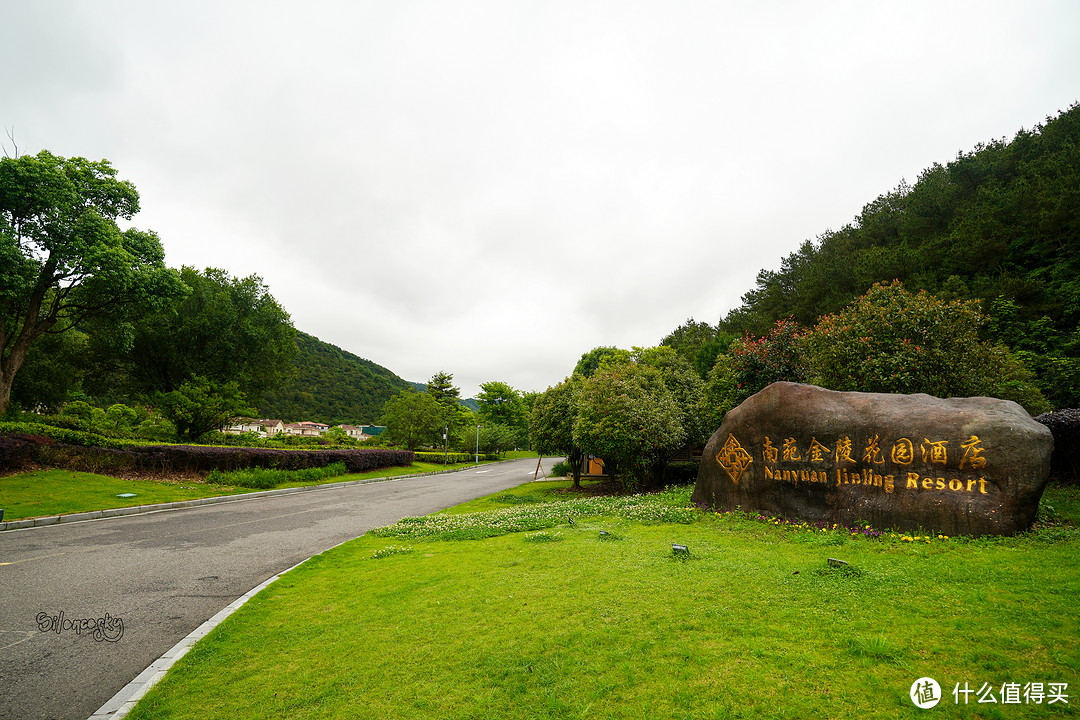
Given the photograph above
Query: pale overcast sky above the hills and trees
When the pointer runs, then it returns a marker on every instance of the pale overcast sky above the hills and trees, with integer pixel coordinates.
(493, 188)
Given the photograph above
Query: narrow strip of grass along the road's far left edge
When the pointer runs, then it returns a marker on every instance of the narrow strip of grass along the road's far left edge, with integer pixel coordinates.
(61, 492)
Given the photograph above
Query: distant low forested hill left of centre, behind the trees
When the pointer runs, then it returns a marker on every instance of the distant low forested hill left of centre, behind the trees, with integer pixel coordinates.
(332, 386)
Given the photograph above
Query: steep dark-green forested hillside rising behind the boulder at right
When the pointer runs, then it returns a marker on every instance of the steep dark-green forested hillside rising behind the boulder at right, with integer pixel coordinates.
(1001, 224)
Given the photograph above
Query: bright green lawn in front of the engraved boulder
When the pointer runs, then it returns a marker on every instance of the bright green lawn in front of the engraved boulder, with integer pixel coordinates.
(560, 621)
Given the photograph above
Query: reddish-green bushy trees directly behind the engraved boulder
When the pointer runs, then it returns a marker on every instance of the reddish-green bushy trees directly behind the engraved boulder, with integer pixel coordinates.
(886, 342)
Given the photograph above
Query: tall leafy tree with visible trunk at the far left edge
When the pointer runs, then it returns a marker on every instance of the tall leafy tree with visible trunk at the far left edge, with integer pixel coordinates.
(64, 259)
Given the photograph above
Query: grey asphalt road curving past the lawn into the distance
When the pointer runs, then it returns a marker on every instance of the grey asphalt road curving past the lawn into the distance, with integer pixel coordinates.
(165, 574)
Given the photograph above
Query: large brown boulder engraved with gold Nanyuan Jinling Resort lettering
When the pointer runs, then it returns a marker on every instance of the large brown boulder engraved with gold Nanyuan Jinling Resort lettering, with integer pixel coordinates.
(971, 466)
